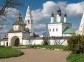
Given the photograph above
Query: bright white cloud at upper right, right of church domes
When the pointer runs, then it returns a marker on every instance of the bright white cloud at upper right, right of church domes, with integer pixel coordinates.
(74, 9)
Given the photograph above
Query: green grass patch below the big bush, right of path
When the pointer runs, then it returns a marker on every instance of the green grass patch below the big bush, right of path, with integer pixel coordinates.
(75, 58)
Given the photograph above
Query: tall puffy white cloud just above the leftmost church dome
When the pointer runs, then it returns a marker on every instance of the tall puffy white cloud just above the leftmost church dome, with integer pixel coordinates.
(49, 7)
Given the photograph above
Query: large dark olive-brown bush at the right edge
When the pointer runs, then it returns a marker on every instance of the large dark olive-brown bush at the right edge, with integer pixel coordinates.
(76, 44)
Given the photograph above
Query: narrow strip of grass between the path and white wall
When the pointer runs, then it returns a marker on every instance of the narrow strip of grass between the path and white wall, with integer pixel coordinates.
(49, 46)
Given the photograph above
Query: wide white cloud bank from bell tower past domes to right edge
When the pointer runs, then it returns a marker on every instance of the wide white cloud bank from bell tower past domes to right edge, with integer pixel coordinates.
(72, 9)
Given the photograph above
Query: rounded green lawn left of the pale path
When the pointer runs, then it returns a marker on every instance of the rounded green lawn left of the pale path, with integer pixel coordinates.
(6, 52)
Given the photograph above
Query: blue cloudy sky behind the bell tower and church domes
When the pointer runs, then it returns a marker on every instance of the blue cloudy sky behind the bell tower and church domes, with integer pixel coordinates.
(42, 9)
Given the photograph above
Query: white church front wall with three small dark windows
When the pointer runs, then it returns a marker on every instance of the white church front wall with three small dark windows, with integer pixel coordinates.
(57, 30)
